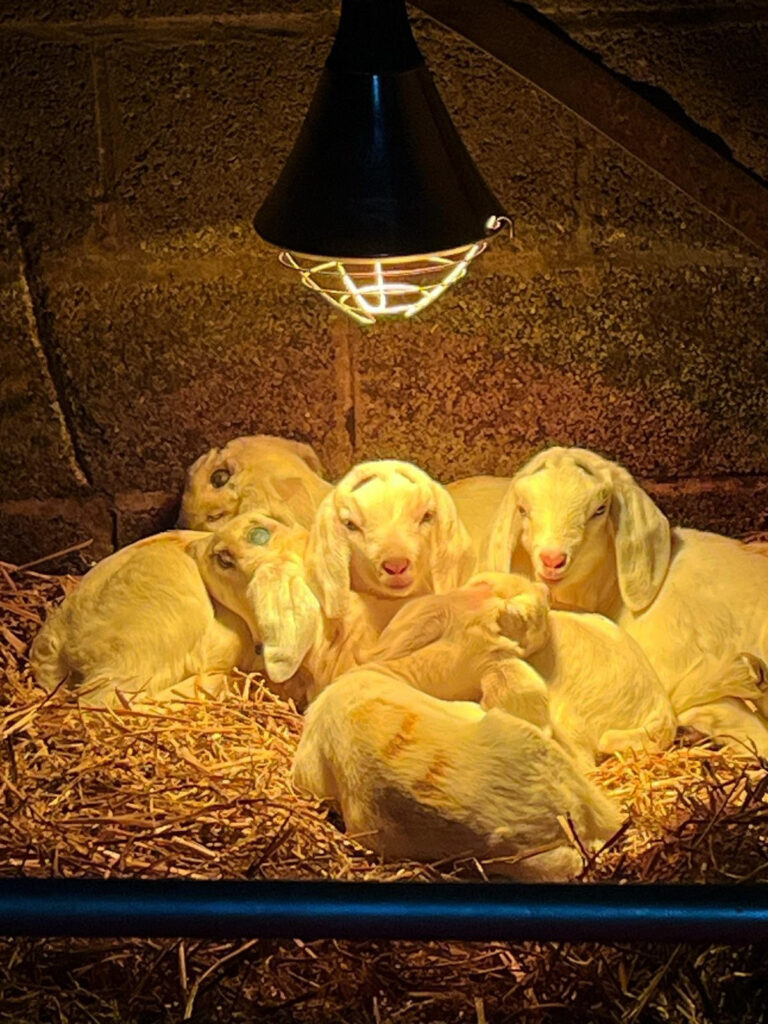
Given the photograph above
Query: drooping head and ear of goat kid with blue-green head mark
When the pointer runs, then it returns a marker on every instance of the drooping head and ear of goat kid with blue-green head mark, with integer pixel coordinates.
(254, 567)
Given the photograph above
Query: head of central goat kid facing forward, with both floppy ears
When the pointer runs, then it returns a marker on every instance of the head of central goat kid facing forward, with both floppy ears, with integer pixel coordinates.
(389, 532)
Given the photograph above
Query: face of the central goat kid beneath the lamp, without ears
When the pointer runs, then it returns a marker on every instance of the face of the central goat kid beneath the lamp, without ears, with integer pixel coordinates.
(389, 526)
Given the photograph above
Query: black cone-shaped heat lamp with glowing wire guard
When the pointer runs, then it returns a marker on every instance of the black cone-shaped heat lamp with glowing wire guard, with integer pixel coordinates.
(379, 208)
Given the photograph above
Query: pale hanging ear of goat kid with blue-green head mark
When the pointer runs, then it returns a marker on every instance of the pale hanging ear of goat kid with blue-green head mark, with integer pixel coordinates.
(288, 616)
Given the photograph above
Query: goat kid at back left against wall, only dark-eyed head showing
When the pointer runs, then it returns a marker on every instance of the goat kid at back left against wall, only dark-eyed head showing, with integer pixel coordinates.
(253, 474)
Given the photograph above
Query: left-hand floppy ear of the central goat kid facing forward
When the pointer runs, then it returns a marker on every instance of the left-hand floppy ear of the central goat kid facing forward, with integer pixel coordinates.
(327, 560)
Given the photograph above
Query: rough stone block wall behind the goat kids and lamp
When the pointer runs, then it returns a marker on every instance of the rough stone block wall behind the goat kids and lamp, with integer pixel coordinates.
(143, 321)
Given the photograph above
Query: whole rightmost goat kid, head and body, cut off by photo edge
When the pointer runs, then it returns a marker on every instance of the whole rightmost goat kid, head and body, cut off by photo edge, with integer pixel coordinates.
(696, 603)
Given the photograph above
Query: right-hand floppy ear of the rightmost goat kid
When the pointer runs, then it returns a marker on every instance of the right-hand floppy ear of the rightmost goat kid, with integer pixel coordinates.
(643, 541)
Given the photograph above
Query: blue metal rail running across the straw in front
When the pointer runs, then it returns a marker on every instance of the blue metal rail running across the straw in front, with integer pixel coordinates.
(471, 911)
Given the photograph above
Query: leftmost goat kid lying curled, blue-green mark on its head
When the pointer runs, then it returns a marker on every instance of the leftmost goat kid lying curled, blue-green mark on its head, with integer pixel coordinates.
(189, 603)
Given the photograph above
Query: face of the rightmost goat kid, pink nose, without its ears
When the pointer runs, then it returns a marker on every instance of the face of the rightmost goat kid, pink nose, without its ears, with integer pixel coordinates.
(565, 522)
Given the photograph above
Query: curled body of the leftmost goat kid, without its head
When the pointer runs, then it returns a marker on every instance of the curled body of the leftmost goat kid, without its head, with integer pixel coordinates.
(140, 623)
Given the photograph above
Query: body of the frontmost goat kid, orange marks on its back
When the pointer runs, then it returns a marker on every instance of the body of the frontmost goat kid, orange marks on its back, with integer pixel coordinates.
(428, 780)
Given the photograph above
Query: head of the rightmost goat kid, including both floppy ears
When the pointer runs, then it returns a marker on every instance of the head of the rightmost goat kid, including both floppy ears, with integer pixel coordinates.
(572, 511)
